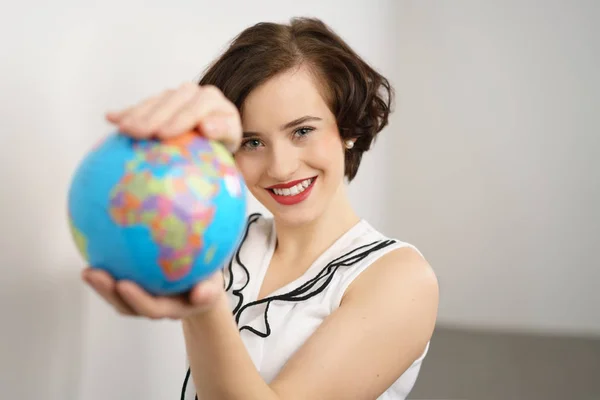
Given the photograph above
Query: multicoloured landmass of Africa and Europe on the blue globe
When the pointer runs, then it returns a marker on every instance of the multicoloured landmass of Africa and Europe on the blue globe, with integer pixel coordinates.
(166, 202)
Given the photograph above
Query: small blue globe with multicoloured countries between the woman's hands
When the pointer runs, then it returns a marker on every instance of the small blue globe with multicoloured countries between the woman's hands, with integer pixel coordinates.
(164, 214)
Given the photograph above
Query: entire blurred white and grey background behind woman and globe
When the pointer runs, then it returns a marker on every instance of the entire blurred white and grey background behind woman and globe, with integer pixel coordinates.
(489, 166)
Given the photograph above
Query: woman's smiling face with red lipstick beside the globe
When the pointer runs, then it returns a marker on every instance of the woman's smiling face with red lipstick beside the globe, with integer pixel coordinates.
(292, 157)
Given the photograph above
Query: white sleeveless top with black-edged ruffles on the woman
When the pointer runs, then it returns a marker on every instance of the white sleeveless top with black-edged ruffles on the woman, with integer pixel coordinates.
(273, 328)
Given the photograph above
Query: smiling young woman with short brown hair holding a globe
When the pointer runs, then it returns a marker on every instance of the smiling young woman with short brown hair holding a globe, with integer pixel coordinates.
(316, 303)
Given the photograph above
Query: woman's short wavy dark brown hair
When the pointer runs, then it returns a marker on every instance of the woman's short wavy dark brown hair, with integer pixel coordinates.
(358, 96)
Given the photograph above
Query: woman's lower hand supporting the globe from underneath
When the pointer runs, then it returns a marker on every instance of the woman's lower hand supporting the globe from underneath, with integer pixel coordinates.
(130, 299)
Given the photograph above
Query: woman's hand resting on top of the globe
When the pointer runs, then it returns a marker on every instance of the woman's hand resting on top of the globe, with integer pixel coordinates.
(188, 108)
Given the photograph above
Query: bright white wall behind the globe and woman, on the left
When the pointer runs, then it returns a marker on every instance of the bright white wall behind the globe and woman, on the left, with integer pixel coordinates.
(64, 63)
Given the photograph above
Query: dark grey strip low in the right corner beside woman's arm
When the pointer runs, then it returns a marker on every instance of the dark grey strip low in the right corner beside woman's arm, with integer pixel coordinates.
(471, 365)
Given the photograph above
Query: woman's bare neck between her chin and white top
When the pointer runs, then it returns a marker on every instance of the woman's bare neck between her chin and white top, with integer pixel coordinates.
(309, 240)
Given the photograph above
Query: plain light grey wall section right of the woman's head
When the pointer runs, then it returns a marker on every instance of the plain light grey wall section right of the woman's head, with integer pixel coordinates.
(497, 176)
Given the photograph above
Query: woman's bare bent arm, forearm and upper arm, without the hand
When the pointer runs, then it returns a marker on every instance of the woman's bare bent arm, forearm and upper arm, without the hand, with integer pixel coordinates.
(385, 320)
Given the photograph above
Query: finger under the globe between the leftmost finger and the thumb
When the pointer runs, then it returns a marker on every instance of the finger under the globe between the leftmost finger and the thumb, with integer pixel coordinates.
(147, 305)
